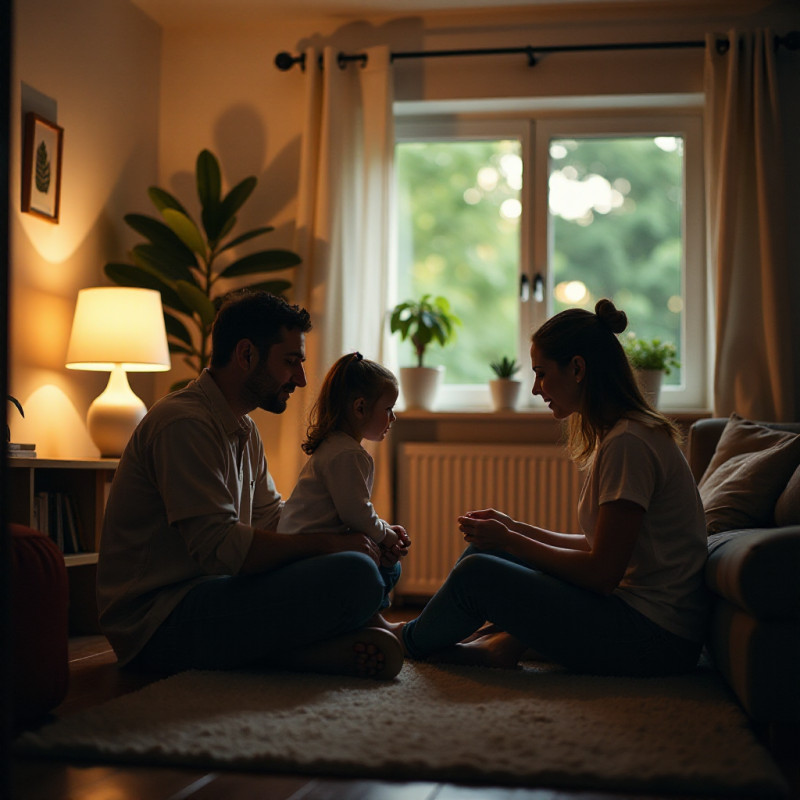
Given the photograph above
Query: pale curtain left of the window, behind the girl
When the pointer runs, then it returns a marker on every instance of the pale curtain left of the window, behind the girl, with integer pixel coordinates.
(344, 223)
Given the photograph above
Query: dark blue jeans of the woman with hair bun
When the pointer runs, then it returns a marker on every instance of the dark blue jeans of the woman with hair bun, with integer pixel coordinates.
(577, 628)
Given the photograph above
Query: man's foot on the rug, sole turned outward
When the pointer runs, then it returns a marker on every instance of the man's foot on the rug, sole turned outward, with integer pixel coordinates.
(365, 653)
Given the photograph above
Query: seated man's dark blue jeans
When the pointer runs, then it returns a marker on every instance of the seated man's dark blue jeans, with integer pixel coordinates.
(227, 622)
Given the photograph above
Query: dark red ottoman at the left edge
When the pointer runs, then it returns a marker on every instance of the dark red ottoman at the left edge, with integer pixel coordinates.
(39, 634)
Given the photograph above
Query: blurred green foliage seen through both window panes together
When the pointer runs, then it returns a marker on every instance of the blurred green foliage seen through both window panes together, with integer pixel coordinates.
(459, 237)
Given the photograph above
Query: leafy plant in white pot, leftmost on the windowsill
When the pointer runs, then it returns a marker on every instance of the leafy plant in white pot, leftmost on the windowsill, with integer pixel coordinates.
(423, 322)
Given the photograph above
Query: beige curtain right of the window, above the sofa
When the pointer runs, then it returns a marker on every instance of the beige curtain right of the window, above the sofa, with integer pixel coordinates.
(747, 242)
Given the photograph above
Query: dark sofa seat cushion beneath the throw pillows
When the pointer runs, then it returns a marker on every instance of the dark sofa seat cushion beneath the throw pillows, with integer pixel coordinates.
(757, 570)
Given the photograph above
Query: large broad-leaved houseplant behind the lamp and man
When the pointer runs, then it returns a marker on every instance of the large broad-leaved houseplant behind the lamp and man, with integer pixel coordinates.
(180, 259)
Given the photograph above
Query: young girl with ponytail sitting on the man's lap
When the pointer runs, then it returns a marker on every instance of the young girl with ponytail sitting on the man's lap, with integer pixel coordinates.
(333, 492)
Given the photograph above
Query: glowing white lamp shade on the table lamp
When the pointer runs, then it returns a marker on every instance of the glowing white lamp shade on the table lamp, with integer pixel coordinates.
(117, 325)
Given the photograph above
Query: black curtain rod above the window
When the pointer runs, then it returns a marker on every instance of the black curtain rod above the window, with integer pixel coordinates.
(285, 61)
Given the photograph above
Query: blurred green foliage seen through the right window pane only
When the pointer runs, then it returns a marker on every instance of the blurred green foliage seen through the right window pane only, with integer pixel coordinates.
(633, 252)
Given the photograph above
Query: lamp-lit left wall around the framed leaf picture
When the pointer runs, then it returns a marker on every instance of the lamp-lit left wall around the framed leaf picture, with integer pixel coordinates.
(91, 66)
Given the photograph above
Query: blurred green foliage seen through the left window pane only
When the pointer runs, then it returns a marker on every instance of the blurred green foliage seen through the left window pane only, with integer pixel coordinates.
(455, 242)
